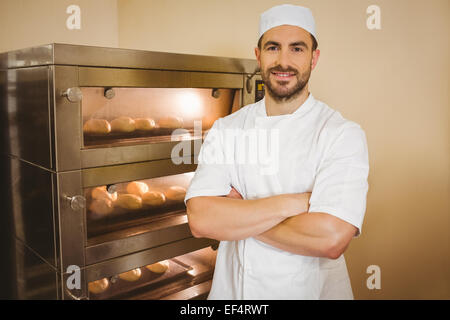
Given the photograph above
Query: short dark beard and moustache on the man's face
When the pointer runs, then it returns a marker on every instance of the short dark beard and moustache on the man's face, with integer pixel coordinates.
(279, 91)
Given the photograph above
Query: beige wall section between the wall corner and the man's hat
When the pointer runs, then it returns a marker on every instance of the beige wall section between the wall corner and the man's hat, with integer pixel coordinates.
(219, 28)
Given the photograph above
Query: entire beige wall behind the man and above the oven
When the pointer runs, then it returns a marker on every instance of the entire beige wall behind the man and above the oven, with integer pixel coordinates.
(393, 81)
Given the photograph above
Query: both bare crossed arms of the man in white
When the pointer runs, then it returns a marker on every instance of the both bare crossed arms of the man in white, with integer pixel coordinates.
(282, 221)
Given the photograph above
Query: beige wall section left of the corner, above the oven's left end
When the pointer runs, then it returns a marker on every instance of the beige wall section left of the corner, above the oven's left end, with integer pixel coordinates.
(26, 23)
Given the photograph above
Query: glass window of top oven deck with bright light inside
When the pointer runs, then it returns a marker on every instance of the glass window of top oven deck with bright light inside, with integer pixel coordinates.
(146, 115)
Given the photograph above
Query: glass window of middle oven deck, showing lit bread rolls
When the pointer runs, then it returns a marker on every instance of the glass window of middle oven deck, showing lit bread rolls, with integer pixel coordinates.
(123, 206)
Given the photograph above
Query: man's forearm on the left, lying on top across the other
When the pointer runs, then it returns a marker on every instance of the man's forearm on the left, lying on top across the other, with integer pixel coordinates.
(223, 218)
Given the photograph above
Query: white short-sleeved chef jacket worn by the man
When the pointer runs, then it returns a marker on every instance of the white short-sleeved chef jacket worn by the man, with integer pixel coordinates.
(313, 150)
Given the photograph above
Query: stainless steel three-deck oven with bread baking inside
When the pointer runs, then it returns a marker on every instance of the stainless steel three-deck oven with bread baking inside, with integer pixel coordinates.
(100, 146)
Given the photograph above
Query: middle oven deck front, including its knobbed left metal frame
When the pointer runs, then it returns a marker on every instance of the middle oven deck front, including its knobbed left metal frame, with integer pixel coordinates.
(117, 218)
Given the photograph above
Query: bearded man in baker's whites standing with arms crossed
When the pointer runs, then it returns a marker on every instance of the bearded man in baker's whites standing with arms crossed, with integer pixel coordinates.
(283, 226)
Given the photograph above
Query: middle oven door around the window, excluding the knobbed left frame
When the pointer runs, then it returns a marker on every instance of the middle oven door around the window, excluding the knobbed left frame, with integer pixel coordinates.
(136, 206)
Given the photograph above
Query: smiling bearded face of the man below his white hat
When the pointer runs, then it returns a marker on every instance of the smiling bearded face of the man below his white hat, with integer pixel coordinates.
(286, 61)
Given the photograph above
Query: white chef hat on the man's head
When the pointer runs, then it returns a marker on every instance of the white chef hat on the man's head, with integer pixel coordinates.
(287, 14)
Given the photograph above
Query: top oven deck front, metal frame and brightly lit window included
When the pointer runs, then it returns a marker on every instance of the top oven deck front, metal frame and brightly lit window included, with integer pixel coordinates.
(107, 116)
